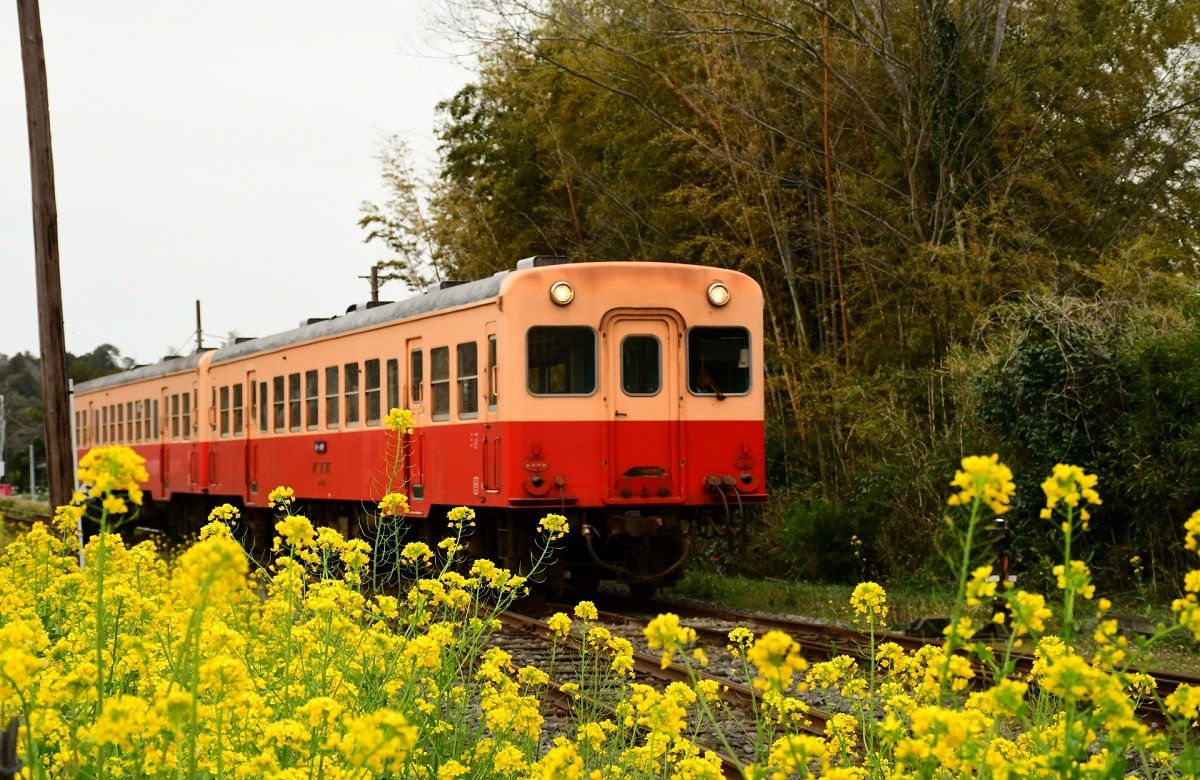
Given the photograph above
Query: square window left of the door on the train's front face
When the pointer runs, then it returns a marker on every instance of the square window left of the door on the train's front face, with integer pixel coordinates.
(561, 361)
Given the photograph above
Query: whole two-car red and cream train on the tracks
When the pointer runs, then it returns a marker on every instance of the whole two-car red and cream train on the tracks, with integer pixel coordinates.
(627, 397)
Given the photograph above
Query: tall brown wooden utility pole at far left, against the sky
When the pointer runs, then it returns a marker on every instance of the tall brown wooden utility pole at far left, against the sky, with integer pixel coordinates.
(61, 460)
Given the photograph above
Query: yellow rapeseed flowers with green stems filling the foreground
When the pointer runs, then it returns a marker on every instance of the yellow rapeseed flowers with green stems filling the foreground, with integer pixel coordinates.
(208, 667)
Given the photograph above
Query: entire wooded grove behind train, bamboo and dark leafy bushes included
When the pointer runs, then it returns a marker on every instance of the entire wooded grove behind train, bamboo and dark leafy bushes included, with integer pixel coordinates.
(934, 195)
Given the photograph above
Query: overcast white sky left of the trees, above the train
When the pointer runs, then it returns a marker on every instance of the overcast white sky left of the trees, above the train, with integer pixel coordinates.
(211, 152)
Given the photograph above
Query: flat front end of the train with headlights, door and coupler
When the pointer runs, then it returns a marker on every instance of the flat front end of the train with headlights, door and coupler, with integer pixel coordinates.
(634, 407)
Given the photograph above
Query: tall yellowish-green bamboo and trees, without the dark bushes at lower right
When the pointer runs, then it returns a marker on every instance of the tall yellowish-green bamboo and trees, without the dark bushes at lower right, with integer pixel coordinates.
(891, 173)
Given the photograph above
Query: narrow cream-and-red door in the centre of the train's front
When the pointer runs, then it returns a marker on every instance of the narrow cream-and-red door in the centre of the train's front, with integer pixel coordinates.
(641, 388)
